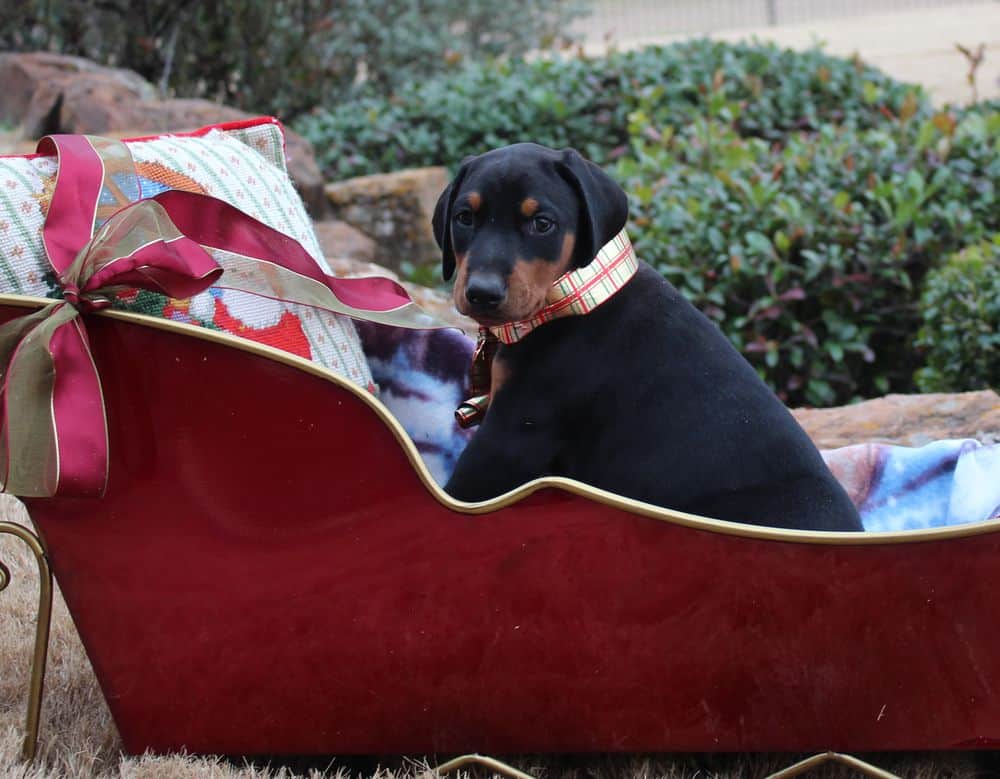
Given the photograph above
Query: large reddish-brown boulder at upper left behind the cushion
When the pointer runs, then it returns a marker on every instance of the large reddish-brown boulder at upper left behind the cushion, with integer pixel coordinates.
(50, 93)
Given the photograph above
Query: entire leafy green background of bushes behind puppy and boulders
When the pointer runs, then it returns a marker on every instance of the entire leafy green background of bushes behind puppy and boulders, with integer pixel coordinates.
(800, 200)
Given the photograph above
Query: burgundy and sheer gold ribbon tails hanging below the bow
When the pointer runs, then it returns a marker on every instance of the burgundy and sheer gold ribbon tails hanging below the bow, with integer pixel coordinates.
(54, 434)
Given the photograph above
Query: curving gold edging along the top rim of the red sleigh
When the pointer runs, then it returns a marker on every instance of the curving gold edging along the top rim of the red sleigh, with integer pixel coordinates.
(566, 485)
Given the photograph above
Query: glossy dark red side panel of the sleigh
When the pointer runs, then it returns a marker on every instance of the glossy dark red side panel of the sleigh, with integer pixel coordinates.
(272, 570)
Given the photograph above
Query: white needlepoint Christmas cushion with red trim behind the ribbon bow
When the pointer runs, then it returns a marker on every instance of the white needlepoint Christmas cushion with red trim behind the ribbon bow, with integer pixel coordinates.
(242, 163)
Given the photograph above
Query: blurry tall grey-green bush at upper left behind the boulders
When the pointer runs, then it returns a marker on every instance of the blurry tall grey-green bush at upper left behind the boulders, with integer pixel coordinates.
(283, 56)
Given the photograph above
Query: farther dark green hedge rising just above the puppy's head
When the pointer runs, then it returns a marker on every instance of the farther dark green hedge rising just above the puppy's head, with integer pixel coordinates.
(586, 103)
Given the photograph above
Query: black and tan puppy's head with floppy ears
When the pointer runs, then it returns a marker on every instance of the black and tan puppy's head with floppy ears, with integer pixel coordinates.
(515, 219)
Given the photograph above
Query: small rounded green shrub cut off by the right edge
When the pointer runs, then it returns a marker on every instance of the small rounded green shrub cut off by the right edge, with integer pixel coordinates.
(960, 311)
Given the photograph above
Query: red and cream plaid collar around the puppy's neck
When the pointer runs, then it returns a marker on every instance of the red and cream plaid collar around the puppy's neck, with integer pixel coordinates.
(580, 291)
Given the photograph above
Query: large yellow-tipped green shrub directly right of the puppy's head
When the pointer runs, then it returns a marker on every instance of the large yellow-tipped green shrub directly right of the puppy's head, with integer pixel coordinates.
(808, 252)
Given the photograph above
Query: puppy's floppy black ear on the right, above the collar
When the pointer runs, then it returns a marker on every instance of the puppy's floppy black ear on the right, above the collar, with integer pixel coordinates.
(603, 205)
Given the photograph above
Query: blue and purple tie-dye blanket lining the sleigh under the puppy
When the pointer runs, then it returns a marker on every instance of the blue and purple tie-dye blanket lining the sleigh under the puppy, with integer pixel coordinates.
(423, 375)
